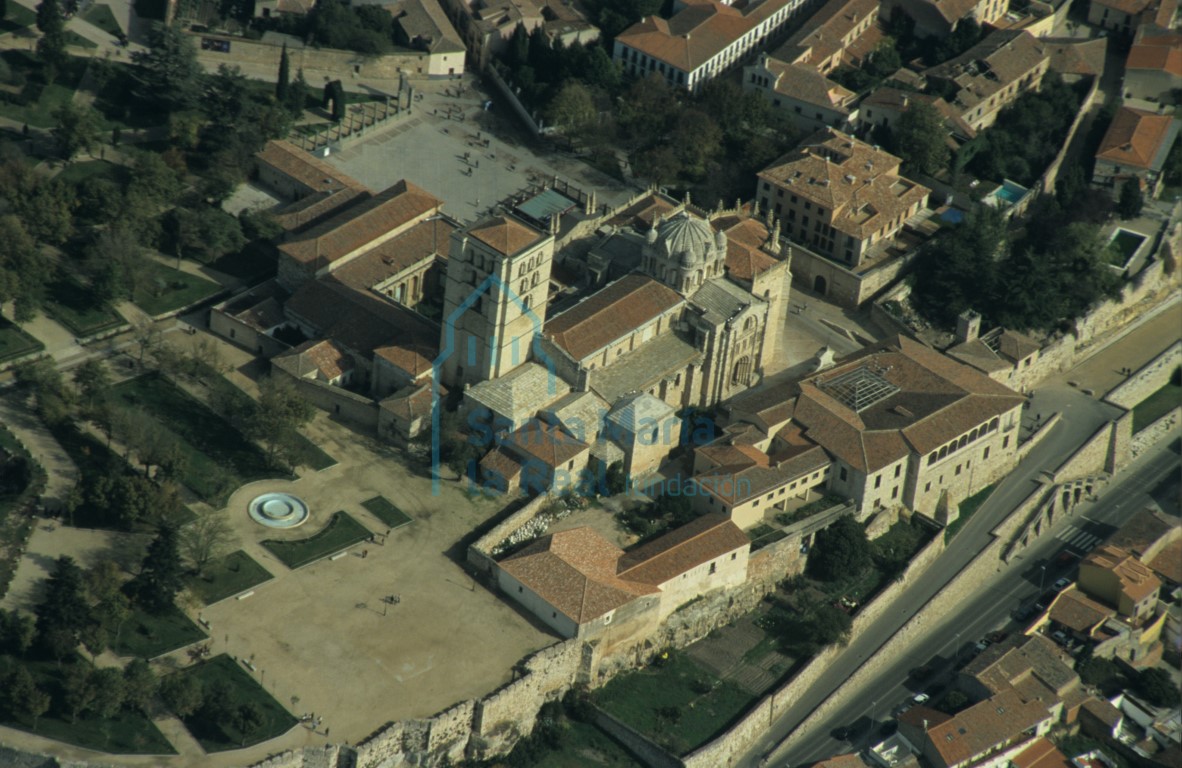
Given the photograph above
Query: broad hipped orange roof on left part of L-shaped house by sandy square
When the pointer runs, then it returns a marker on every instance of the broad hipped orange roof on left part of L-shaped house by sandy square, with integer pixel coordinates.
(575, 572)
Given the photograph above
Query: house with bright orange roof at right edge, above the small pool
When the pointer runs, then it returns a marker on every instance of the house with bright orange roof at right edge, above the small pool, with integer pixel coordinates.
(1134, 151)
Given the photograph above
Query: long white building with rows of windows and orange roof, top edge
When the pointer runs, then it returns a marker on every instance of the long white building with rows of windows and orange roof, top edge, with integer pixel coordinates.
(702, 40)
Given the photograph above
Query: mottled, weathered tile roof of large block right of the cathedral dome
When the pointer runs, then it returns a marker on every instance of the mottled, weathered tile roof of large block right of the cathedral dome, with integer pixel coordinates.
(856, 183)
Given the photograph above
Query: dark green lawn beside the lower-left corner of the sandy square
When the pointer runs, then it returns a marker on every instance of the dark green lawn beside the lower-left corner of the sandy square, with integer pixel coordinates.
(223, 734)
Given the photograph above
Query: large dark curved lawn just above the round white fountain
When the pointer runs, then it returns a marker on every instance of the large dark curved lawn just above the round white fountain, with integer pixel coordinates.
(218, 458)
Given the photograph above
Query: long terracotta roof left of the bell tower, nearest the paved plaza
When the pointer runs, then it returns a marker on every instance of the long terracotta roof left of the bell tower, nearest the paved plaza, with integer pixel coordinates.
(362, 224)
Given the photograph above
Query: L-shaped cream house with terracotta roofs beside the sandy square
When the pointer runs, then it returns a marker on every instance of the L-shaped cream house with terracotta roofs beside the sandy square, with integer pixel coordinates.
(582, 585)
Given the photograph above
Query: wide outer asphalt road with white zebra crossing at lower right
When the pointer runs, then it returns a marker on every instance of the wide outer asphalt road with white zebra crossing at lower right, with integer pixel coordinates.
(1018, 585)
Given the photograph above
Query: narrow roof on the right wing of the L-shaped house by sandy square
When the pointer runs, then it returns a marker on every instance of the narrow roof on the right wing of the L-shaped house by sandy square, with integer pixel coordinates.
(683, 550)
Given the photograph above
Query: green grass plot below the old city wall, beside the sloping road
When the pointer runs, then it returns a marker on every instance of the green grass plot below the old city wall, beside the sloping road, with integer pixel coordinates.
(678, 705)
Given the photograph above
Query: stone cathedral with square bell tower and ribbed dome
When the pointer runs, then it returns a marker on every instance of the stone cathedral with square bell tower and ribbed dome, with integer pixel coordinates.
(681, 310)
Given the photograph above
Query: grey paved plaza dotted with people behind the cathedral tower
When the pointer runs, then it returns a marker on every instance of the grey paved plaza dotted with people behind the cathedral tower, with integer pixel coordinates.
(449, 158)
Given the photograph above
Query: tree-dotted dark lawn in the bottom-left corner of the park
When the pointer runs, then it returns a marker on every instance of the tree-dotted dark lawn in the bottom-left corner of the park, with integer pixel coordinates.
(126, 734)
